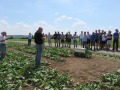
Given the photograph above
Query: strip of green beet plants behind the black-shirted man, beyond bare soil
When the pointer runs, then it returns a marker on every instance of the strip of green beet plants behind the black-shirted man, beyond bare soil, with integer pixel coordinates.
(53, 53)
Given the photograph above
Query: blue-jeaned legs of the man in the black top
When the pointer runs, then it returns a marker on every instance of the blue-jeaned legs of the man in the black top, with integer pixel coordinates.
(38, 55)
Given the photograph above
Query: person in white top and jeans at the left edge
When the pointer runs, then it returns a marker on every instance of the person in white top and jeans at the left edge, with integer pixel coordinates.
(3, 37)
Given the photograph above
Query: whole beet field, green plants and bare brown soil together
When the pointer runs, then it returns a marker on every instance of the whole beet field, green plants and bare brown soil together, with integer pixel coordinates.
(59, 70)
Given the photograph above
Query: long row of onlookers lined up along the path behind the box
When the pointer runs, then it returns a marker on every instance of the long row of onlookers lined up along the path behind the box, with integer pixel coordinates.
(96, 41)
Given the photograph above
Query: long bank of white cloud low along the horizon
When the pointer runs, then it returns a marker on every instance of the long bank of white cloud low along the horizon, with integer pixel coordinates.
(63, 23)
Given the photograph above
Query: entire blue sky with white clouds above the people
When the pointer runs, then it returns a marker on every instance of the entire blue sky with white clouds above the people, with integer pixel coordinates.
(24, 16)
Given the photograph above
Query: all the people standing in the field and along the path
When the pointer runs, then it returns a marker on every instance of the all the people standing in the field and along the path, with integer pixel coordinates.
(96, 41)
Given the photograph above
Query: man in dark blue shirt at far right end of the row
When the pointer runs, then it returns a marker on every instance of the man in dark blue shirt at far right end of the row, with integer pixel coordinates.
(115, 39)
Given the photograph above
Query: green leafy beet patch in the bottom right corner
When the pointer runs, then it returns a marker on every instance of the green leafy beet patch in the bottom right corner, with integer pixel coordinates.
(109, 81)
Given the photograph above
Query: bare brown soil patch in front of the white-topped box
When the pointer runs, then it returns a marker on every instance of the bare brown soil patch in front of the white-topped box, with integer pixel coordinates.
(85, 70)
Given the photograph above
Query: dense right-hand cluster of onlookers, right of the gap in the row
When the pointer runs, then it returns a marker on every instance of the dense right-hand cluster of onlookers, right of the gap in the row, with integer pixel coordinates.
(100, 40)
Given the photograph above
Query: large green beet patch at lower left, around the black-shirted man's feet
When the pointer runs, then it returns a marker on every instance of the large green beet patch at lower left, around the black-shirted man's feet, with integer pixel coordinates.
(17, 72)
